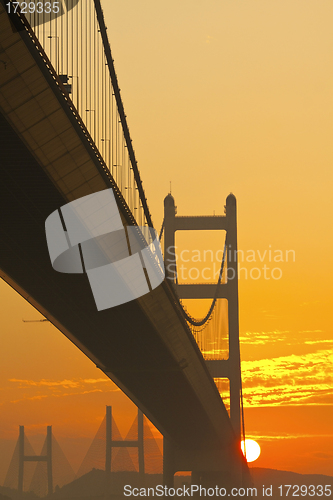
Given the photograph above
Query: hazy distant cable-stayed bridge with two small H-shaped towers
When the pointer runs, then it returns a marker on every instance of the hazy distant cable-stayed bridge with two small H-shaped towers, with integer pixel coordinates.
(108, 451)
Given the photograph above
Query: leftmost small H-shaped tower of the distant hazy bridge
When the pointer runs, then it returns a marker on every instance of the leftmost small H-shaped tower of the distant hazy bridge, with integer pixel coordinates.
(36, 458)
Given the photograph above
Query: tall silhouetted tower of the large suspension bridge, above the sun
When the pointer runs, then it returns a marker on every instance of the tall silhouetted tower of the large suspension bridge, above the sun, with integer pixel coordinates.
(229, 368)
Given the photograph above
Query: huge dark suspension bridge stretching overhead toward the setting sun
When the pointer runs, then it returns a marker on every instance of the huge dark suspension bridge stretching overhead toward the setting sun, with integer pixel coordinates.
(65, 135)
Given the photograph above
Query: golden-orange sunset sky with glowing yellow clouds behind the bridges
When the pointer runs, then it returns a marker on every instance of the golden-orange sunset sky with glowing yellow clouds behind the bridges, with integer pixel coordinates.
(221, 96)
